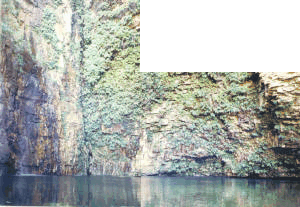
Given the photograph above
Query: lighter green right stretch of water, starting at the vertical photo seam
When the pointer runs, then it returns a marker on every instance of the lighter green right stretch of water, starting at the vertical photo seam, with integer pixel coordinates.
(218, 191)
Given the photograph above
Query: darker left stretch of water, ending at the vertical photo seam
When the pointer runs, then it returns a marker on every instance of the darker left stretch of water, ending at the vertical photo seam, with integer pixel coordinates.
(78, 190)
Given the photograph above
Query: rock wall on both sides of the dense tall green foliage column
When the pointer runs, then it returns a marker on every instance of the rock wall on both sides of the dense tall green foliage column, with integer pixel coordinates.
(198, 120)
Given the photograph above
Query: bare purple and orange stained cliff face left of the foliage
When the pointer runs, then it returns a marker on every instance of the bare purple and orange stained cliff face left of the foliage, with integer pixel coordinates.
(40, 120)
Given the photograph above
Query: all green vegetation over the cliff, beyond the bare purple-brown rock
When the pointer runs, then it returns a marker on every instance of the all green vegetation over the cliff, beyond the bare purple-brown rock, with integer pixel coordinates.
(186, 123)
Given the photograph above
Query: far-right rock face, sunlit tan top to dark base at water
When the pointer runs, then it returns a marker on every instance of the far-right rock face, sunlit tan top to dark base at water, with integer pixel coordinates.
(281, 96)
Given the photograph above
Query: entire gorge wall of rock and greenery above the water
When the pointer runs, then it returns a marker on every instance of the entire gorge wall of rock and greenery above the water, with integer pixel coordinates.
(73, 101)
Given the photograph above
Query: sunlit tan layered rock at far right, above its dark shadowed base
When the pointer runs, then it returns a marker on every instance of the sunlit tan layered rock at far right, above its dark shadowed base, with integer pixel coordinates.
(284, 89)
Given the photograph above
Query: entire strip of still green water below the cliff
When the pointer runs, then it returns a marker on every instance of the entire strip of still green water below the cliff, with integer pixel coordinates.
(146, 191)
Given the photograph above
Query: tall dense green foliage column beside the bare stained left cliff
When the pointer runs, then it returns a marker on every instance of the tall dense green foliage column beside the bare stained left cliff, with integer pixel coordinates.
(112, 91)
